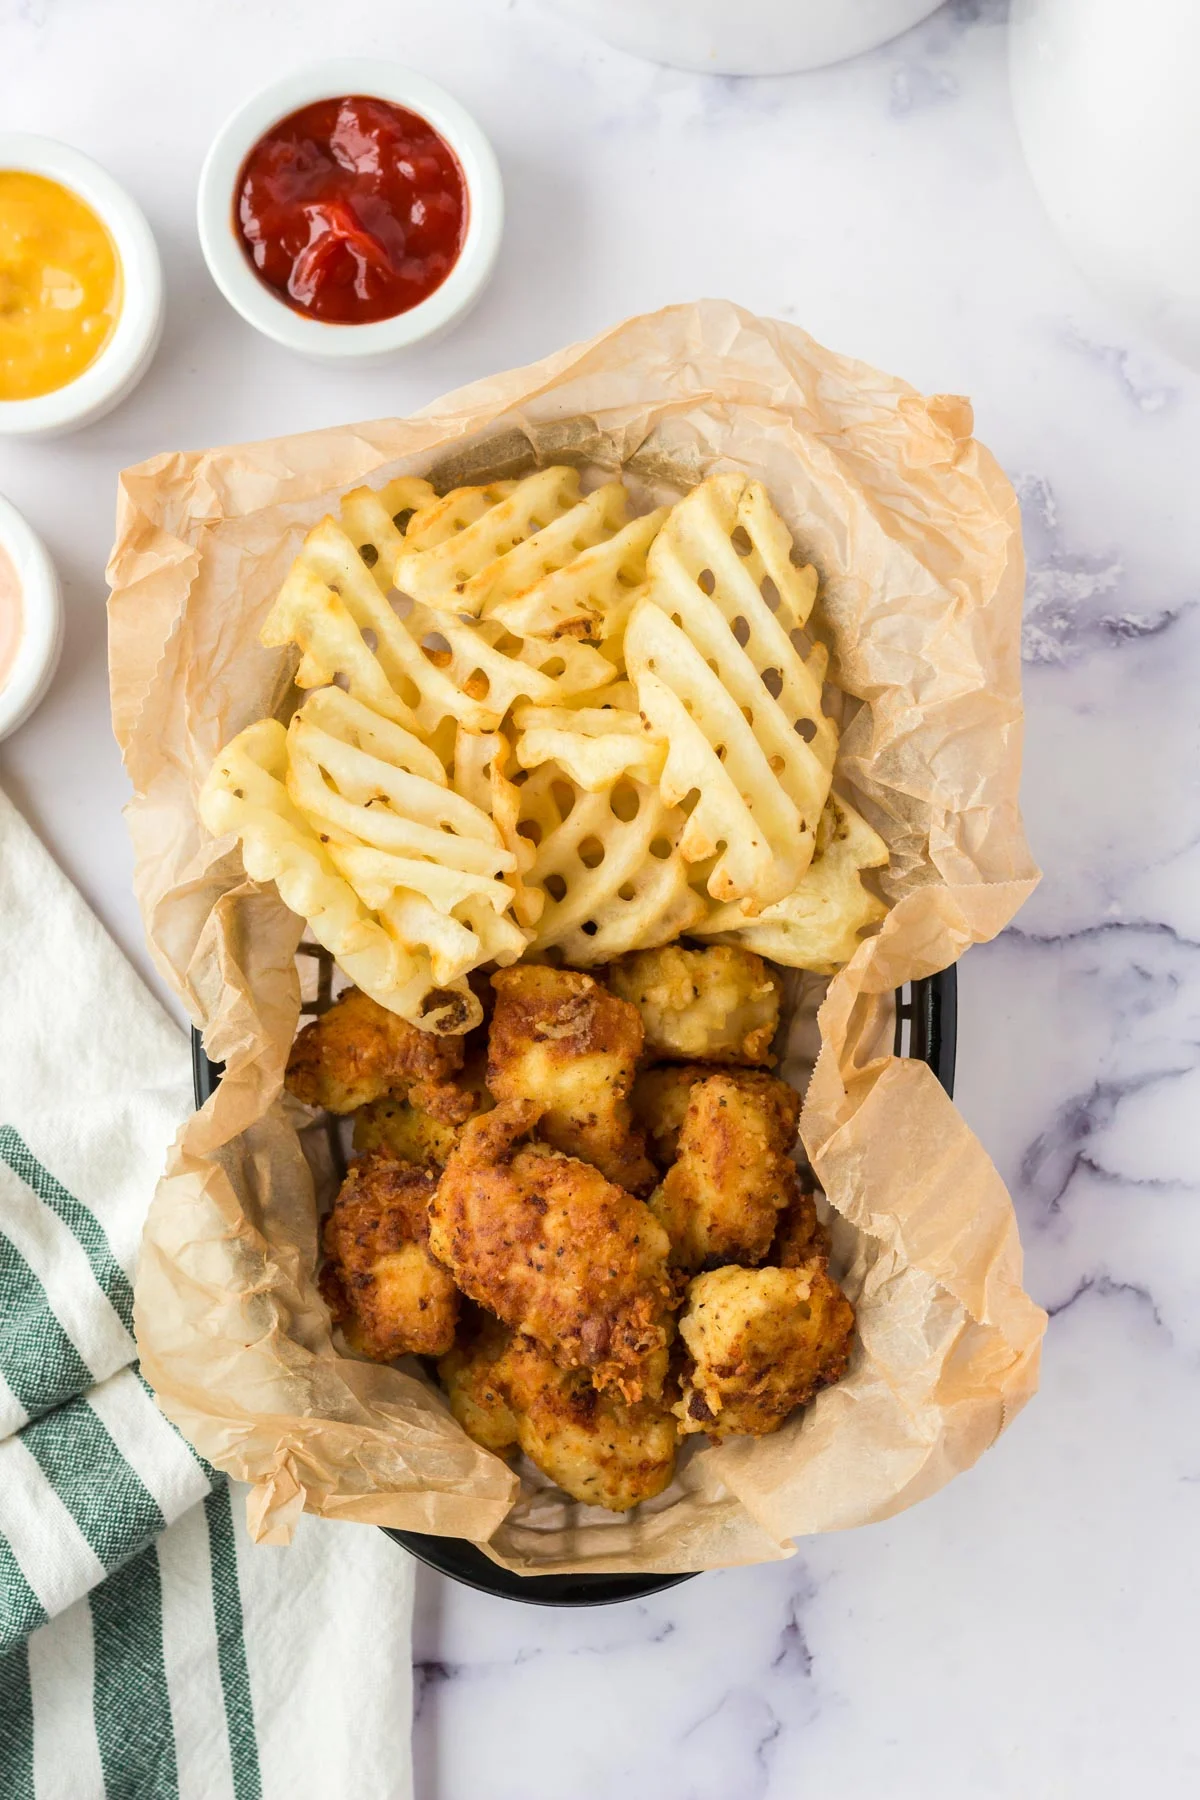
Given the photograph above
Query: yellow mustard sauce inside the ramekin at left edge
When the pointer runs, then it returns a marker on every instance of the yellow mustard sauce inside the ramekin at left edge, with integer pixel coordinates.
(60, 285)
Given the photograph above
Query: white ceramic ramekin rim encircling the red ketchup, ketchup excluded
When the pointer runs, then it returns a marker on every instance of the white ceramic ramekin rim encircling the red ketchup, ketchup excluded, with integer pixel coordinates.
(264, 309)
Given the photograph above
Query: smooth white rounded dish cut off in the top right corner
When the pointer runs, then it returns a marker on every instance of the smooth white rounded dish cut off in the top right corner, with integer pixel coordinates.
(1106, 102)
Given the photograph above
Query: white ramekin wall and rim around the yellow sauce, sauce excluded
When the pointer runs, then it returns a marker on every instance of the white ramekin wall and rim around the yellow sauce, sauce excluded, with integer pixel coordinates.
(129, 354)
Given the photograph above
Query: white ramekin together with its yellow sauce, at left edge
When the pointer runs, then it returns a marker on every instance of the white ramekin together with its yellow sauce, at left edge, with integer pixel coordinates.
(80, 289)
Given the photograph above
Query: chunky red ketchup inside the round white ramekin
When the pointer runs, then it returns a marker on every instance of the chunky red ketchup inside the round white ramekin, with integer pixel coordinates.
(352, 210)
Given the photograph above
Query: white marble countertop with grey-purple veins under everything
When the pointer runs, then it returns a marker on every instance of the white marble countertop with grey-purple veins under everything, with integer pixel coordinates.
(1030, 1632)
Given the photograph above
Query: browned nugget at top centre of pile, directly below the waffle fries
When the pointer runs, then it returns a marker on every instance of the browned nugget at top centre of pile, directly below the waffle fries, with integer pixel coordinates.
(562, 1039)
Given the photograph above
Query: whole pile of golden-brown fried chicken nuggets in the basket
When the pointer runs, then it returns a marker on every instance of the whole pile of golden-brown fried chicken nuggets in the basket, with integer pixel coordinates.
(586, 1210)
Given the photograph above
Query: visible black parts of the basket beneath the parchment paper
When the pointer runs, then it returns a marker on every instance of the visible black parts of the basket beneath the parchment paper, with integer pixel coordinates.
(926, 1029)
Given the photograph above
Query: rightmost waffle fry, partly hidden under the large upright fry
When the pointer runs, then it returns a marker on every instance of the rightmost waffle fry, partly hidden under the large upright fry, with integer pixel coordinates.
(821, 924)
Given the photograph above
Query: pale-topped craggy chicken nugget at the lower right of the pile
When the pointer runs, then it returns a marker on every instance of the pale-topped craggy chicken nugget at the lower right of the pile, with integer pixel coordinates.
(762, 1344)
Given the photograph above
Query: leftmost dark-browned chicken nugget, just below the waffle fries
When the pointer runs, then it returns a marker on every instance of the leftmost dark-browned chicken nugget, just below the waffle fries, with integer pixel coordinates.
(359, 1052)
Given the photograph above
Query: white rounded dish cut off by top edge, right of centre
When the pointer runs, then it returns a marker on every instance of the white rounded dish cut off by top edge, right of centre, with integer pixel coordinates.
(748, 37)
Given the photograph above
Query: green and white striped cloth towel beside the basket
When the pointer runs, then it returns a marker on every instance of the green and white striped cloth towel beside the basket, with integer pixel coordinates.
(147, 1648)
